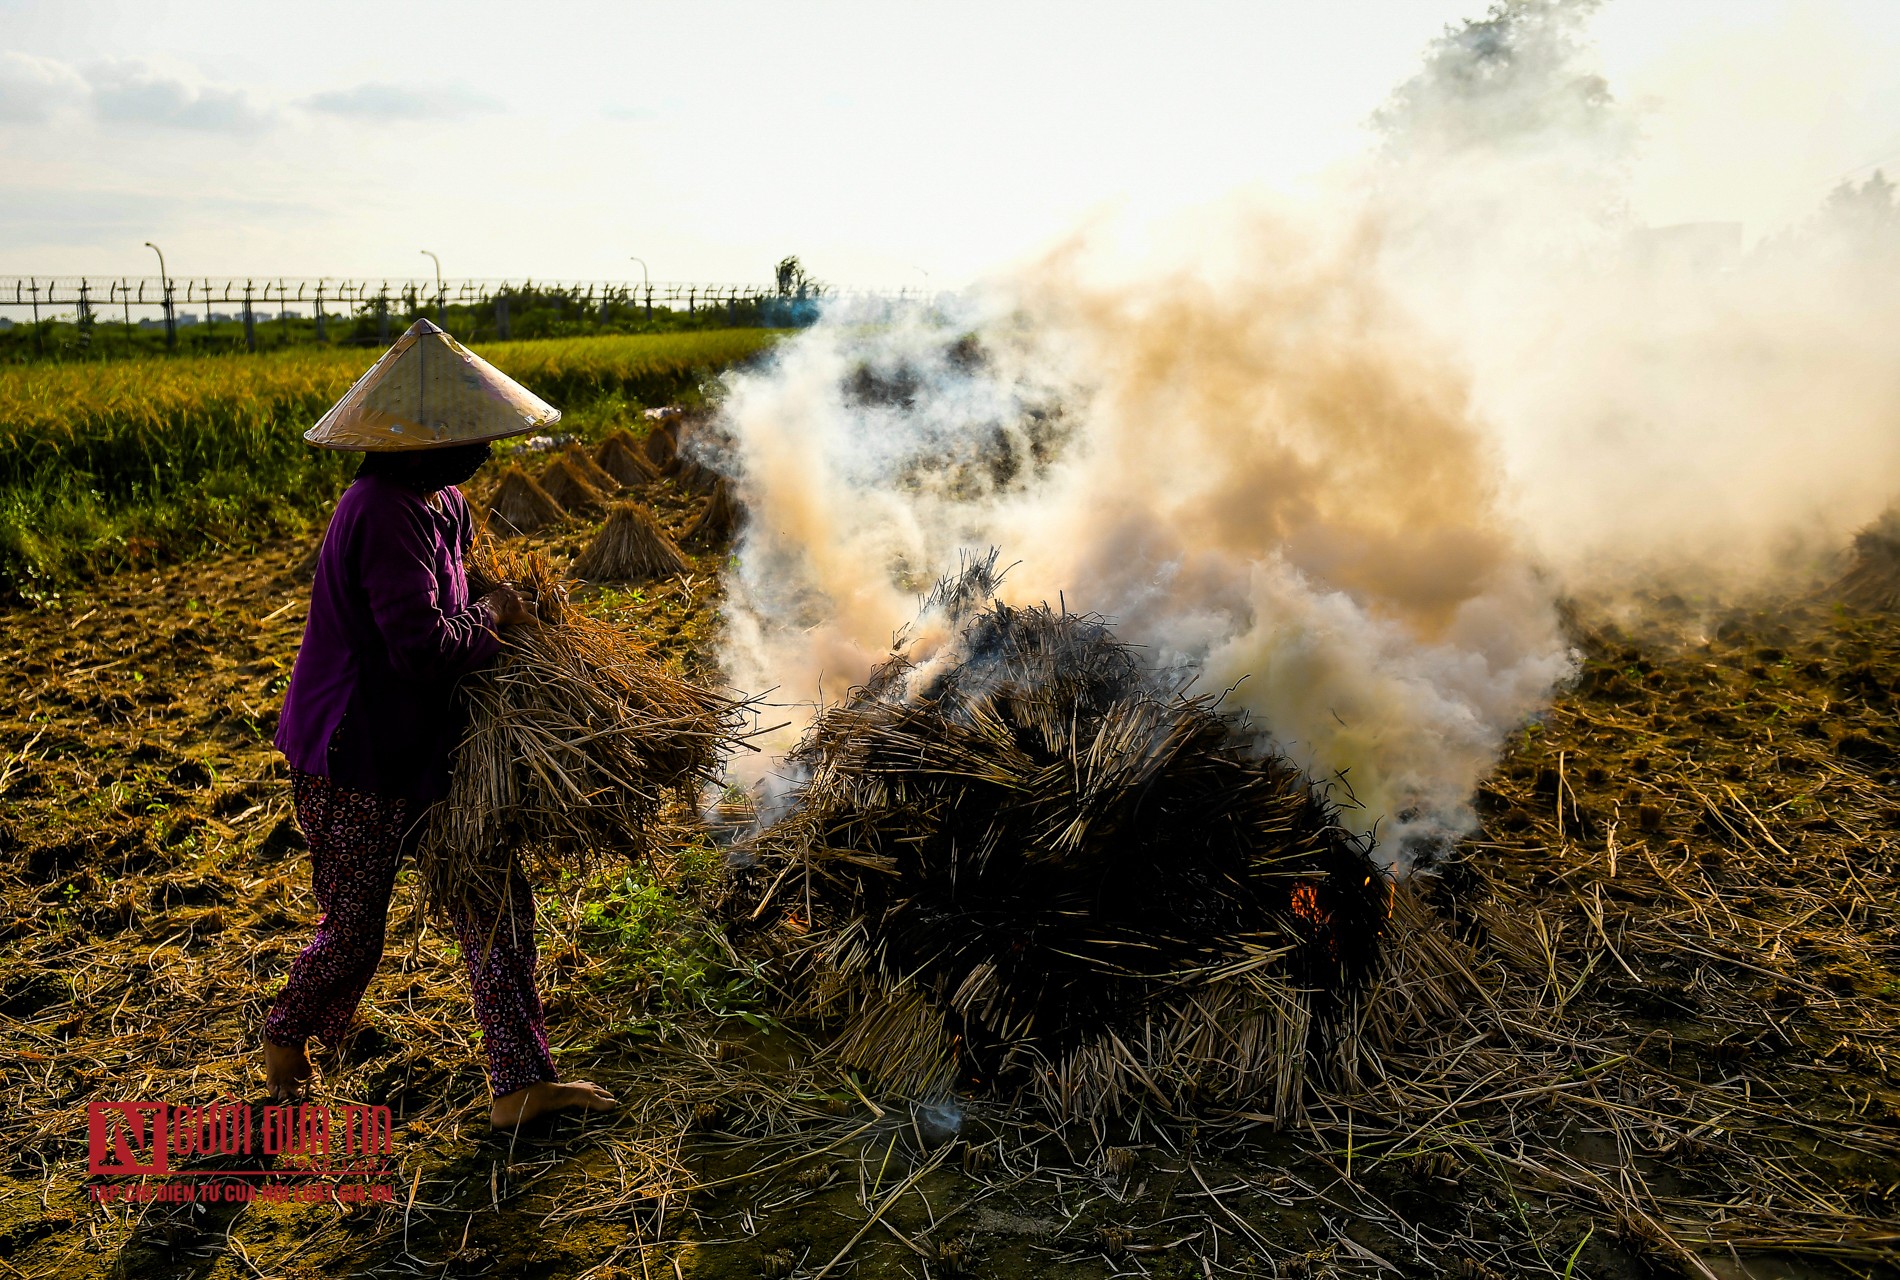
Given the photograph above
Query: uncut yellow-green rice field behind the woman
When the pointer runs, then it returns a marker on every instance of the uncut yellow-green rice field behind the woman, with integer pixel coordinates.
(119, 464)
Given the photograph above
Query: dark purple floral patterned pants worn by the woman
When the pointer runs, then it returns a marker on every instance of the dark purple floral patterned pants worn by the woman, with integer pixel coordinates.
(356, 842)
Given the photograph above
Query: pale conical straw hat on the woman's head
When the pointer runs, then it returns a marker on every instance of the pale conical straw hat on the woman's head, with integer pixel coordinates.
(428, 392)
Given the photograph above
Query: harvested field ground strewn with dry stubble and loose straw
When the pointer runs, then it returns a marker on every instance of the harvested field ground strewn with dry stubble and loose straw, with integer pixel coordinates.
(1644, 1025)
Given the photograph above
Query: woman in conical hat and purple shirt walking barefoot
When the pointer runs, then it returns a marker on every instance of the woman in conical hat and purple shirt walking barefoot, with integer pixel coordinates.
(370, 726)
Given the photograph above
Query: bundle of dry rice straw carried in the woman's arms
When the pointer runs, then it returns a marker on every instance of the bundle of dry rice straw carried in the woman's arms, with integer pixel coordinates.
(577, 740)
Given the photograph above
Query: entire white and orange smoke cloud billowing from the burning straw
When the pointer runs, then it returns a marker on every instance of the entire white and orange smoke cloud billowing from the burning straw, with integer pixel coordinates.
(1342, 461)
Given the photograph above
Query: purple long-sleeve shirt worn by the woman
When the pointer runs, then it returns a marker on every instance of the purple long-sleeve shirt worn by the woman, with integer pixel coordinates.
(390, 631)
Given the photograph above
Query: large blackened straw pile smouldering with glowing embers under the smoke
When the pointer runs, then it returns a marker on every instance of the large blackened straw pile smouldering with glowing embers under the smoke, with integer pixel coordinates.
(1025, 861)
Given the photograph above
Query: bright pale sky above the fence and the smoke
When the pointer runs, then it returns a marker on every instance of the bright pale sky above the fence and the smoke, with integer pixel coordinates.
(894, 143)
